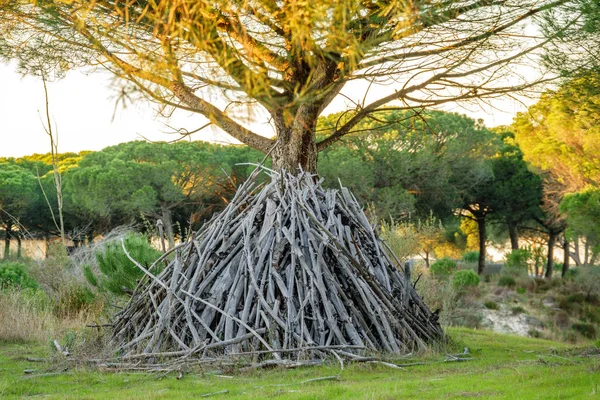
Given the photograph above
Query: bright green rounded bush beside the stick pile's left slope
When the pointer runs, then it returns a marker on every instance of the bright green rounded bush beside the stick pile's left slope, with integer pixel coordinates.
(117, 270)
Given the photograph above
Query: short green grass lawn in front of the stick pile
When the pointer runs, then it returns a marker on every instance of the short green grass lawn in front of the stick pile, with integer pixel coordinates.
(503, 367)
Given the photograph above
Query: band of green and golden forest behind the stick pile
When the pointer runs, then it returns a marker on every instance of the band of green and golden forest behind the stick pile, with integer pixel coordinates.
(441, 182)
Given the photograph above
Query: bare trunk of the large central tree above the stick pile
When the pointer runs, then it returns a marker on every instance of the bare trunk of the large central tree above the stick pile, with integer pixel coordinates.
(296, 147)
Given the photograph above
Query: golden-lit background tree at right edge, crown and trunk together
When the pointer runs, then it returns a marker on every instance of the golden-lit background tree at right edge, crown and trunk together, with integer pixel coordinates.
(560, 135)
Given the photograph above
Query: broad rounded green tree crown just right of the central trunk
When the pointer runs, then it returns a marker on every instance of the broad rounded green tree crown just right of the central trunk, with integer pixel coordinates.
(409, 164)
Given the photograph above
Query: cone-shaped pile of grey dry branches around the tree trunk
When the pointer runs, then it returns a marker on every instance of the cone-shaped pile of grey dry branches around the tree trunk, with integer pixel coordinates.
(289, 269)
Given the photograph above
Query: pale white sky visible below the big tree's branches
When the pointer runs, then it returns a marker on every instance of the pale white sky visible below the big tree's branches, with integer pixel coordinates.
(83, 113)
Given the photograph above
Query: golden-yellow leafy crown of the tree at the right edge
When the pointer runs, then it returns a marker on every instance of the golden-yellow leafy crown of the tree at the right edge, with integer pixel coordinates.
(561, 132)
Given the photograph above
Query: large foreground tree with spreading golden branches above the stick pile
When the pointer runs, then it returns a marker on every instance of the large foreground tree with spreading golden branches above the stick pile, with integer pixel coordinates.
(291, 59)
